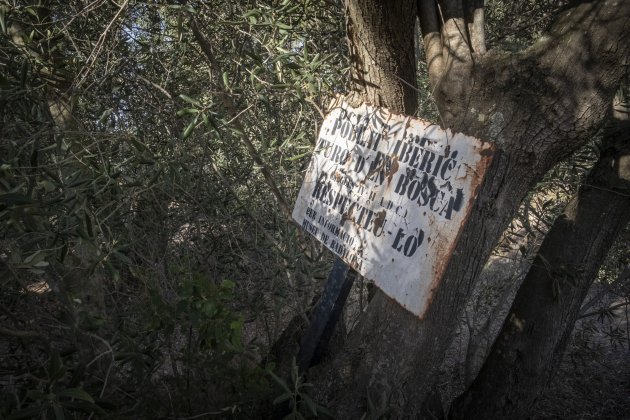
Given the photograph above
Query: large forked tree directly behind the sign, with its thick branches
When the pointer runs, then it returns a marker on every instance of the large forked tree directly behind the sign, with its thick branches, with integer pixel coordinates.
(537, 106)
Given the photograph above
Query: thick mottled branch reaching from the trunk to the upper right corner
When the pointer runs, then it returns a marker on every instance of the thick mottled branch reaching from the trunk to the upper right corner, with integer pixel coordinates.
(564, 81)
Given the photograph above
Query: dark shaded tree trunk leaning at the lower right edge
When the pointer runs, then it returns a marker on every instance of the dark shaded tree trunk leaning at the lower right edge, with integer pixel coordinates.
(539, 323)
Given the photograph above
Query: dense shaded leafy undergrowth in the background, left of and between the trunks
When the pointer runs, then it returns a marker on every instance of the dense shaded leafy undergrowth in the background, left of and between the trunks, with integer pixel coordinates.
(149, 156)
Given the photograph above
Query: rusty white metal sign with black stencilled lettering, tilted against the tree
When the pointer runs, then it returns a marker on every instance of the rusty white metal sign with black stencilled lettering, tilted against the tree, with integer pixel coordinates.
(389, 194)
